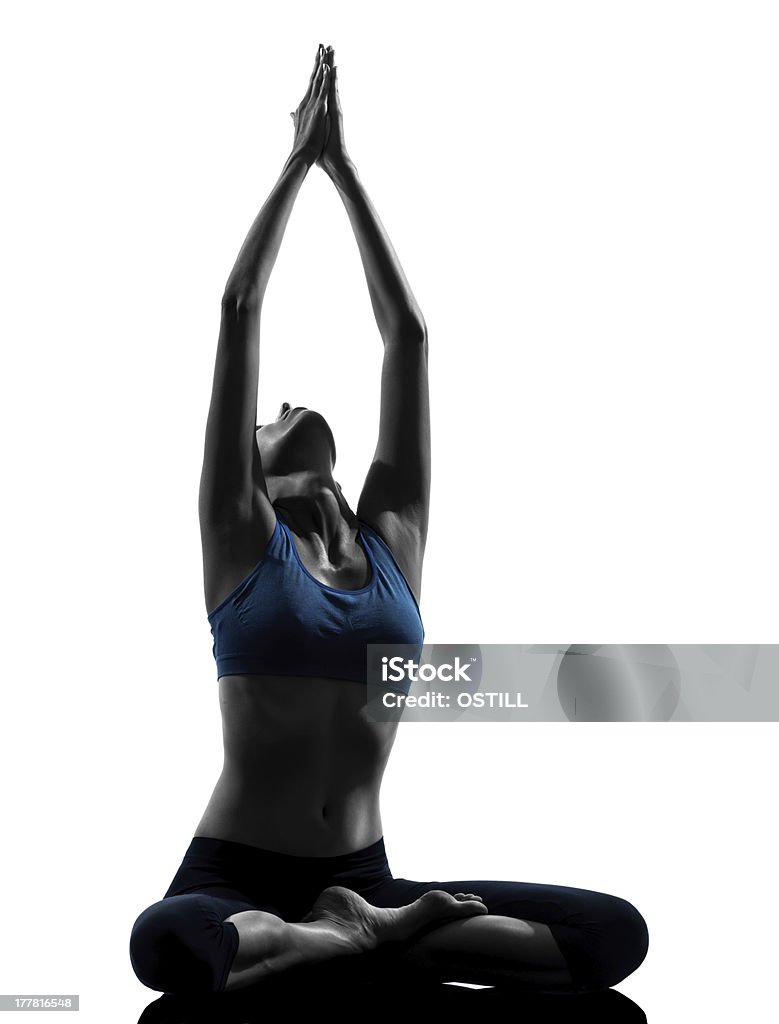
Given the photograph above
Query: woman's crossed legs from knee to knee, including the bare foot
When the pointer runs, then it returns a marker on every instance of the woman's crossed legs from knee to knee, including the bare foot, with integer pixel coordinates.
(508, 934)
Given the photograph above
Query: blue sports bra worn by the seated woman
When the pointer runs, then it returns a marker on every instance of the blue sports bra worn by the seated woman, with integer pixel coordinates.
(280, 621)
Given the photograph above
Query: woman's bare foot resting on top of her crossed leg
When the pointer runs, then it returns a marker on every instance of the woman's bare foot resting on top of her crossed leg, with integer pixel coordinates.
(360, 926)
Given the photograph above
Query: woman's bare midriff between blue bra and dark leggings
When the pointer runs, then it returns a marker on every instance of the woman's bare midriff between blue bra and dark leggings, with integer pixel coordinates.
(304, 765)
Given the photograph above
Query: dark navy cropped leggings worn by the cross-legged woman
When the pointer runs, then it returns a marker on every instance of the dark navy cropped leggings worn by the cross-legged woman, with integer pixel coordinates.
(183, 945)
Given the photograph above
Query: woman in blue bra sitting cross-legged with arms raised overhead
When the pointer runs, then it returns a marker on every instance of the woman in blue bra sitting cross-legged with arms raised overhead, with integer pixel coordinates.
(287, 869)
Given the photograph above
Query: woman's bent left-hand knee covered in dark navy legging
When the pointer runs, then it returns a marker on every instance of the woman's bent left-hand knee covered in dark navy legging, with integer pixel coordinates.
(183, 946)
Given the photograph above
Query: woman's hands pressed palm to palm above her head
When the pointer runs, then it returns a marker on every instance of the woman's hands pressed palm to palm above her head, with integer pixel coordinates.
(319, 121)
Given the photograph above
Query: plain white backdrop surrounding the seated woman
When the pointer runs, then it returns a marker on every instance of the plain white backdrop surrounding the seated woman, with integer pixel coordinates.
(584, 199)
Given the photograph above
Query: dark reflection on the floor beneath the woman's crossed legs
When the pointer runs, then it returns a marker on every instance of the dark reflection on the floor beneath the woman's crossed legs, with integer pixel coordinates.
(372, 1002)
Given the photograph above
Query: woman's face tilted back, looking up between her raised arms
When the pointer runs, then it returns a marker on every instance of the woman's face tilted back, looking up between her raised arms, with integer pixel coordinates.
(298, 439)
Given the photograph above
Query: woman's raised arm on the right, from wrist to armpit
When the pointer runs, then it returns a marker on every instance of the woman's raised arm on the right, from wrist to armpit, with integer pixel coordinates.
(396, 497)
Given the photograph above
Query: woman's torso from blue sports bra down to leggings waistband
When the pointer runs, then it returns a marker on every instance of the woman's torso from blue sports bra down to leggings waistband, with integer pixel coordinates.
(304, 758)
